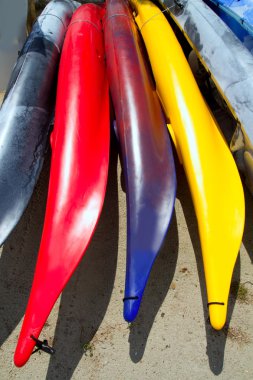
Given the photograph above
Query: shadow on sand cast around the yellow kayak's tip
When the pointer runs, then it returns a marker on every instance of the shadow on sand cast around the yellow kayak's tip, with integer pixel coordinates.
(216, 340)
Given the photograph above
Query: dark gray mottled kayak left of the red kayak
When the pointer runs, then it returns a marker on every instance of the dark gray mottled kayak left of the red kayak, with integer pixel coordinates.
(27, 110)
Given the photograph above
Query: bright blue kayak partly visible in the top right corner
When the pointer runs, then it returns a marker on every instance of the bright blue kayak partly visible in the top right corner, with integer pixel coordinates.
(238, 15)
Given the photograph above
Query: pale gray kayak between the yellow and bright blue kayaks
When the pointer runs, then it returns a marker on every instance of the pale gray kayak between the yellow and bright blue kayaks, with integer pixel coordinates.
(230, 66)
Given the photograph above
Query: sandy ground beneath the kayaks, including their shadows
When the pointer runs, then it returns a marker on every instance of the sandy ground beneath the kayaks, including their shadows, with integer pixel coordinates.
(171, 338)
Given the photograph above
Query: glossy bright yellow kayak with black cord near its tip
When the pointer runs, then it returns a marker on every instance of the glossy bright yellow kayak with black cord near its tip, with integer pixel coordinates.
(210, 168)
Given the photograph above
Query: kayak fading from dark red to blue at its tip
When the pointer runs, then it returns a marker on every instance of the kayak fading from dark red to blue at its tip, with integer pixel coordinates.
(146, 151)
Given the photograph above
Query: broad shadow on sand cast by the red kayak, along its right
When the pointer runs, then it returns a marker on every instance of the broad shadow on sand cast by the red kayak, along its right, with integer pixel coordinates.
(85, 299)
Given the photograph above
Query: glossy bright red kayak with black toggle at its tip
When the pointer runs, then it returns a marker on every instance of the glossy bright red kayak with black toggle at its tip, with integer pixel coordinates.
(78, 177)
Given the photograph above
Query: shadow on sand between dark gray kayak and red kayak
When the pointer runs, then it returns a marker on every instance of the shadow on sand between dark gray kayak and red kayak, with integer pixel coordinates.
(18, 258)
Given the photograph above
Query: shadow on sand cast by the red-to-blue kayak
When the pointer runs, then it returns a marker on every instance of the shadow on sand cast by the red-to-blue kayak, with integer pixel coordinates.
(157, 288)
